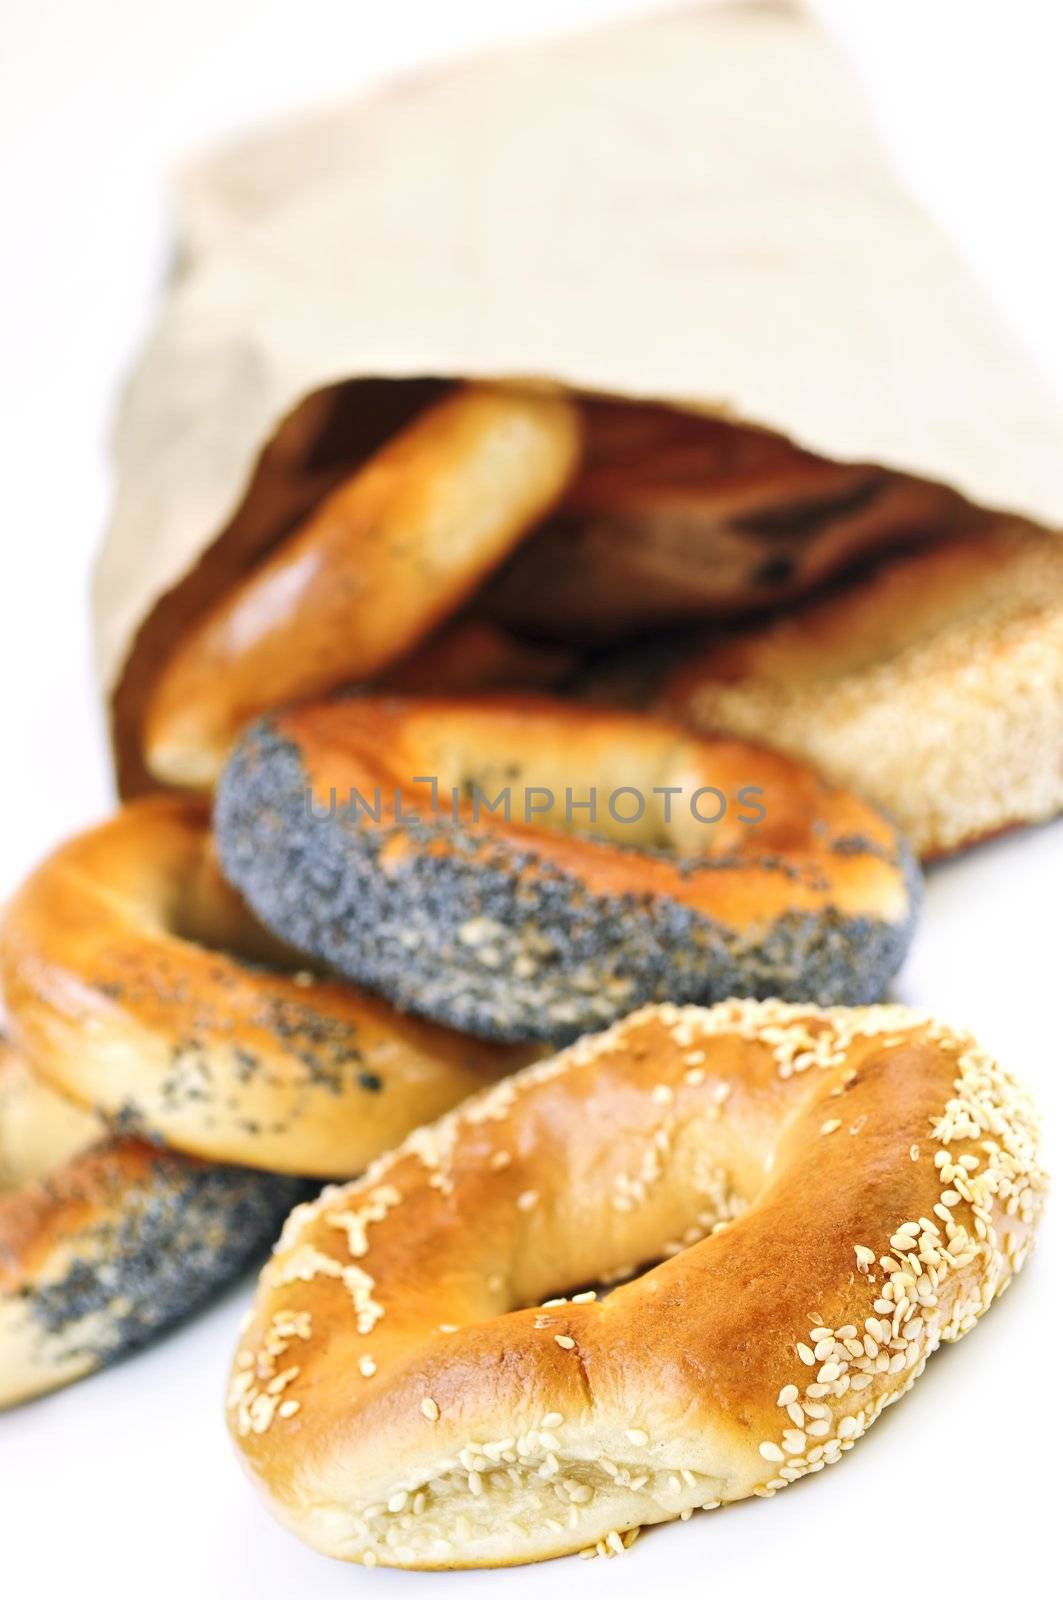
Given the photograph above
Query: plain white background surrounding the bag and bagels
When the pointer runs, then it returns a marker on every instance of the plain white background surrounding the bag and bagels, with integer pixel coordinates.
(126, 1484)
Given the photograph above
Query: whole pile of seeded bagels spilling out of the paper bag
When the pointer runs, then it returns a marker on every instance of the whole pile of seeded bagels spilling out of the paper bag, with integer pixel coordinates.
(534, 836)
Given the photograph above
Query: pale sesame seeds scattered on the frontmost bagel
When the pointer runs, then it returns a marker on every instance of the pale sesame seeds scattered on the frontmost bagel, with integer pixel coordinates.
(934, 1286)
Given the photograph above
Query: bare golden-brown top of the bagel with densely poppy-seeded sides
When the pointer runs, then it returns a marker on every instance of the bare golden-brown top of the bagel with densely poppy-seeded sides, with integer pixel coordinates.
(372, 742)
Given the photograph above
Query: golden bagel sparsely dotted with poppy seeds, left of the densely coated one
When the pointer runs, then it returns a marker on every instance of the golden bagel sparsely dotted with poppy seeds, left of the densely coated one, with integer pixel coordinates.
(122, 991)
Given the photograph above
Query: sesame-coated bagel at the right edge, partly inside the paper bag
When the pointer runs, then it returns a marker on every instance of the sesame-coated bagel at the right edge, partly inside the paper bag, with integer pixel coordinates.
(934, 684)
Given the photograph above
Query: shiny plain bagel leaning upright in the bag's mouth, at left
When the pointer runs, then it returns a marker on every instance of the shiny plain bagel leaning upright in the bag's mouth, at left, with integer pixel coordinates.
(371, 572)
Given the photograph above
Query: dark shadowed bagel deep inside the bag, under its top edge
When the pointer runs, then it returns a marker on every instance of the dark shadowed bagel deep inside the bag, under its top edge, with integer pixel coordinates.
(675, 518)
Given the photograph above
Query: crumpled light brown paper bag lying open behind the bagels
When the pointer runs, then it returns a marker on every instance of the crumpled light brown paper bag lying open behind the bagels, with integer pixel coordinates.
(689, 209)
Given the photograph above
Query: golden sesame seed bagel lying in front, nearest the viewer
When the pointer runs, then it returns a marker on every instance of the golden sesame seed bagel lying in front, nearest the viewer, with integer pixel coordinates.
(833, 1193)
